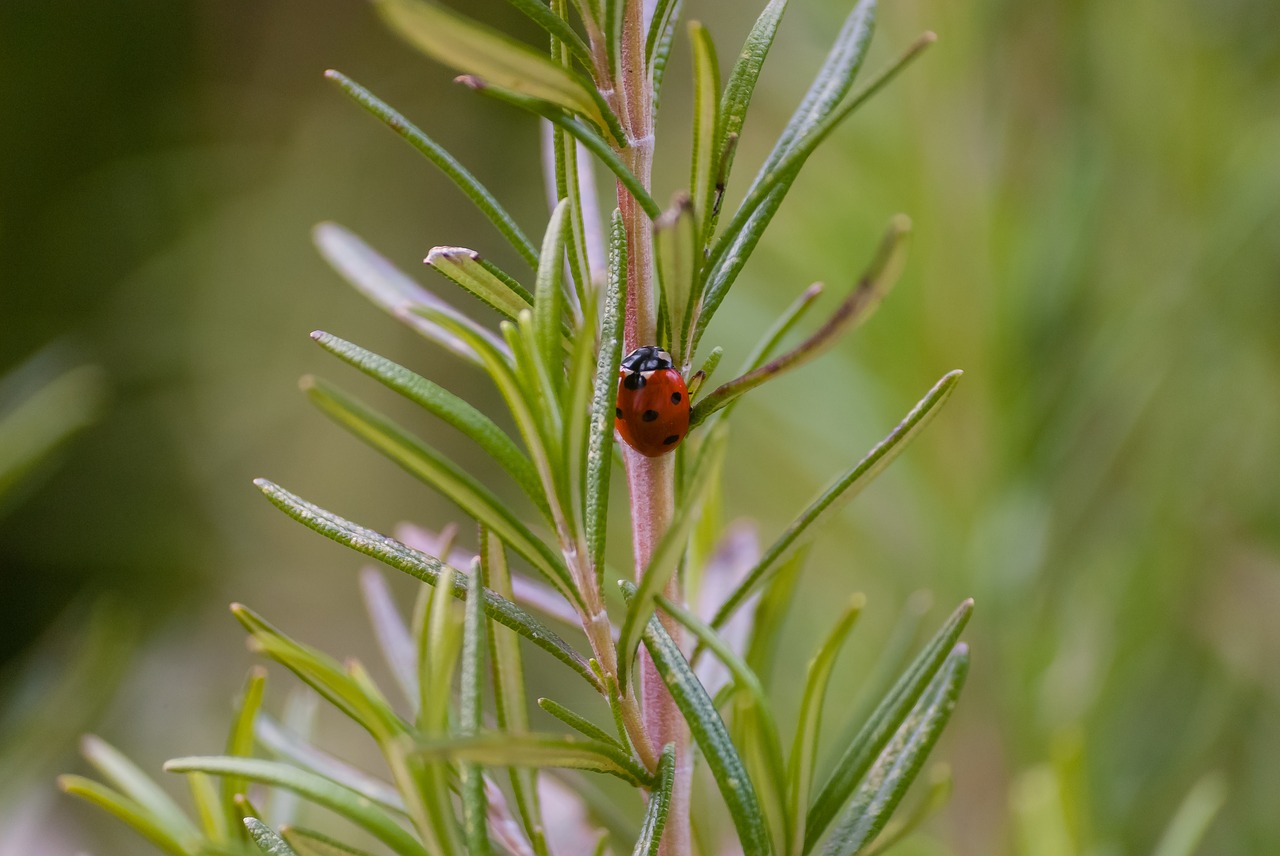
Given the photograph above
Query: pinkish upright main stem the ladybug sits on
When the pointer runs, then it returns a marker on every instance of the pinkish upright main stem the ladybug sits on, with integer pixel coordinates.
(651, 482)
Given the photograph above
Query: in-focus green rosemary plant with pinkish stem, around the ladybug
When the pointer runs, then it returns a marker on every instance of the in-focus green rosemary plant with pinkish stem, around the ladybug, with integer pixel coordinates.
(463, 763)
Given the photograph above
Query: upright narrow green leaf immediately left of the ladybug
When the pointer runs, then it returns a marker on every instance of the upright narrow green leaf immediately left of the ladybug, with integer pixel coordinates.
(600, 448)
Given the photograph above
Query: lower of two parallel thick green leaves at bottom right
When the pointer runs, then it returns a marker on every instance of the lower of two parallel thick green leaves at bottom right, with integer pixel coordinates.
(900, 762)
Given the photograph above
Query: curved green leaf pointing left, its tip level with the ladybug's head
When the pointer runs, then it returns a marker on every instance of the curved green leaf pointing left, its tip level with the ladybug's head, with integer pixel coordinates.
(445, 405)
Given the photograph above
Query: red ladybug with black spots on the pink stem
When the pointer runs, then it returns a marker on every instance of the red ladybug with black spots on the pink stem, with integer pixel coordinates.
(653, 402)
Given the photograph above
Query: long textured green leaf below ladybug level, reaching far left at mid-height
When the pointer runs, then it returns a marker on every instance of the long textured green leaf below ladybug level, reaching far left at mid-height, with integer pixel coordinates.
(426, 569)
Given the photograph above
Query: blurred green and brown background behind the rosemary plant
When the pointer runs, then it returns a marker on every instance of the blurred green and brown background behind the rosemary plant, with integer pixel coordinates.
(1096, 191)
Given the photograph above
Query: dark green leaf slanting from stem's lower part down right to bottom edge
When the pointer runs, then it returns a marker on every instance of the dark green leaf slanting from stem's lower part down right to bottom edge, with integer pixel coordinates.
(710, 734)
